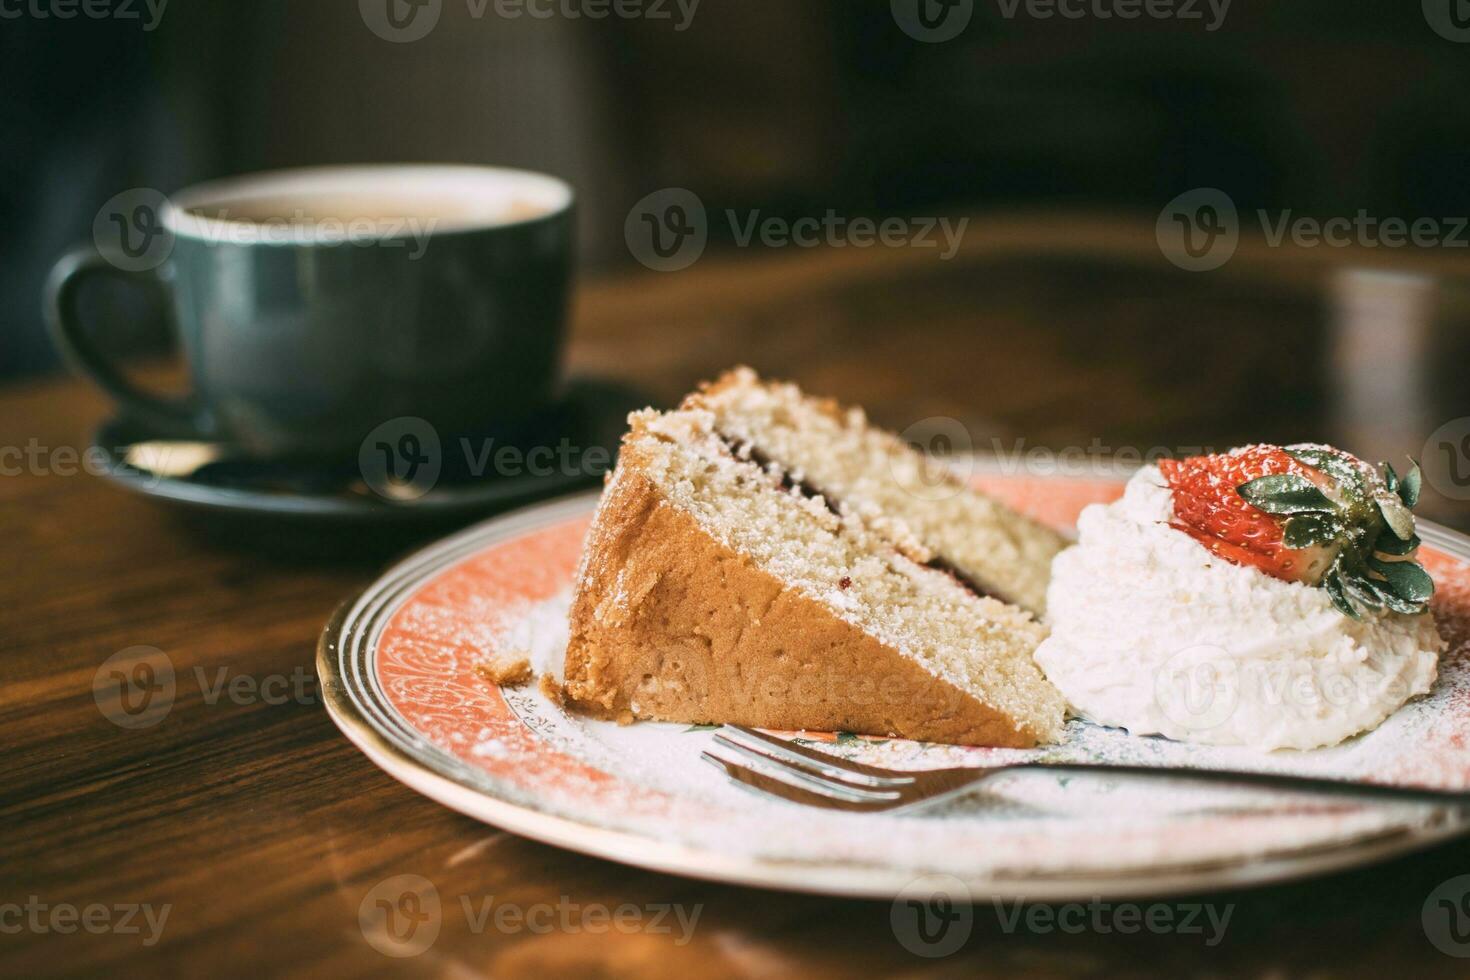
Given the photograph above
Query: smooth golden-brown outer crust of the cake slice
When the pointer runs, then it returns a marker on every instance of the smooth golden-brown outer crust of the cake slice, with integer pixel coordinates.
(671, 624)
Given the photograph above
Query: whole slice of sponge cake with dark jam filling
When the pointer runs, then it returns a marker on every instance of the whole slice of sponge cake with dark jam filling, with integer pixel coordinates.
(718, 587)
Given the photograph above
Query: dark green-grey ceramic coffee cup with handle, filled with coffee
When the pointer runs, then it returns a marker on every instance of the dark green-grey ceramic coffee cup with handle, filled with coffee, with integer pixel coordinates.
(312, 306)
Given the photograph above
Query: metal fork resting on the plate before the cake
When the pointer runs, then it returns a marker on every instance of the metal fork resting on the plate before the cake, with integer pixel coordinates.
(818, 779)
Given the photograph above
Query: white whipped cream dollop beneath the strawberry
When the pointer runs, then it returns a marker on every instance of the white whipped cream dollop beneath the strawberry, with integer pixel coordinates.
(1155, 634)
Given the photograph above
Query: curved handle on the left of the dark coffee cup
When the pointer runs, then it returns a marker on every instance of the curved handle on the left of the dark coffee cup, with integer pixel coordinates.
(173, 417)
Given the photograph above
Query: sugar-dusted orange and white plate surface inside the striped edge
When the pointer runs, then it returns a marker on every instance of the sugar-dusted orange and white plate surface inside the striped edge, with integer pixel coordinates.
(648, 779)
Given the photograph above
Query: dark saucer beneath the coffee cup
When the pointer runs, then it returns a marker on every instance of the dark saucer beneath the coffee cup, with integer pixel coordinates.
(577, 442)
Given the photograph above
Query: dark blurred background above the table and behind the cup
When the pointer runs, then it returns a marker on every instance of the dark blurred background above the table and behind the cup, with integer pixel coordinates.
(792, 107)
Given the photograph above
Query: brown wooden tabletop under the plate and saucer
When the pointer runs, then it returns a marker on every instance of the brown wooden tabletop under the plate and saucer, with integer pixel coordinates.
(262, 829)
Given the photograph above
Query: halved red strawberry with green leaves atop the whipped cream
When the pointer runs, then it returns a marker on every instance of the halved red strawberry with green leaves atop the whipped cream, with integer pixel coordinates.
(1308, 514)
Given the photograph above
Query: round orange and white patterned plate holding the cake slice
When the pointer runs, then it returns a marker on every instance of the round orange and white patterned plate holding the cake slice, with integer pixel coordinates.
(398, 669)
